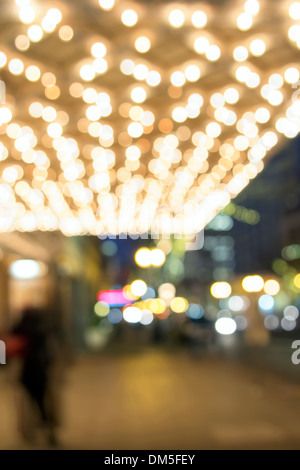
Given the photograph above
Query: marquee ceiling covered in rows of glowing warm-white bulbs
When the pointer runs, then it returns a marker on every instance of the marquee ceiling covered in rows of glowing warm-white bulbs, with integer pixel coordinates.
(118, 116)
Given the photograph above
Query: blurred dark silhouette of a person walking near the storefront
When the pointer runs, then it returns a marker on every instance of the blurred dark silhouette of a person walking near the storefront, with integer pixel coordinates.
(36, 366)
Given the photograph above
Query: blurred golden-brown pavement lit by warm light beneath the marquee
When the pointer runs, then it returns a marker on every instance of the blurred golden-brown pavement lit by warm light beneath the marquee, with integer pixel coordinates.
(169, 400)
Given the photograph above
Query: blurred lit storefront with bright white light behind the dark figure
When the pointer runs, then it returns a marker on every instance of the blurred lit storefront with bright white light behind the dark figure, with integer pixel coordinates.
(51, 272)
